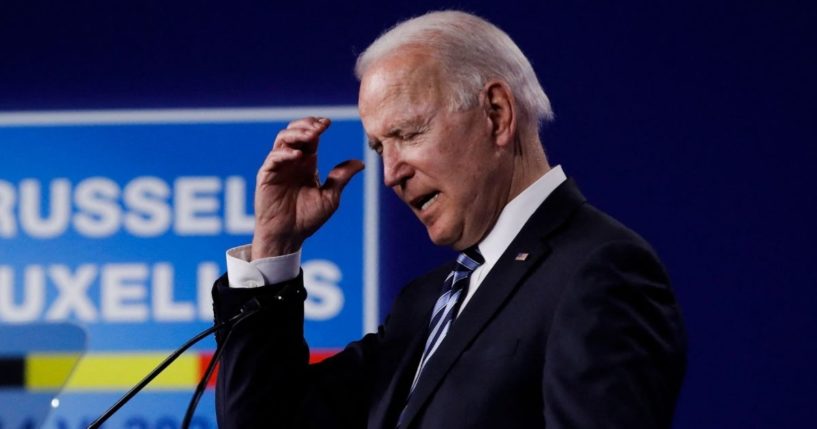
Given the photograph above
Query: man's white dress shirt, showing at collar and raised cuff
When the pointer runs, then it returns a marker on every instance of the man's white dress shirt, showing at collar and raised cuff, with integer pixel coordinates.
(243, 273)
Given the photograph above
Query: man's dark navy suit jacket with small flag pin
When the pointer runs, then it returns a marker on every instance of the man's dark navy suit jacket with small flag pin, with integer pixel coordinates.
(583, 333)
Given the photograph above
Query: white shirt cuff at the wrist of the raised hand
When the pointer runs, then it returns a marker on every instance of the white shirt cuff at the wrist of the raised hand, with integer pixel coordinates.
(241, 273)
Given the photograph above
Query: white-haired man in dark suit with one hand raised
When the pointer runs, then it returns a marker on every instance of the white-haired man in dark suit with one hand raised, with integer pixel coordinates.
(554, 316)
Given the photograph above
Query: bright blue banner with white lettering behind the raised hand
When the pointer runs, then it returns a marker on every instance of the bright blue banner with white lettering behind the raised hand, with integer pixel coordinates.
(118, 221)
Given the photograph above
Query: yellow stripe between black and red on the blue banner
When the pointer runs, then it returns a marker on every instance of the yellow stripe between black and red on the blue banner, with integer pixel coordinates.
(116, 371)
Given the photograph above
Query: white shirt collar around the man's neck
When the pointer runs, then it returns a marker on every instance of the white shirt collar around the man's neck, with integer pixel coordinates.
(517, 212)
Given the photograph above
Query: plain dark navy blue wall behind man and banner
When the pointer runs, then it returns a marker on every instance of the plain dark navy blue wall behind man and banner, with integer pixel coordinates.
(694, 124)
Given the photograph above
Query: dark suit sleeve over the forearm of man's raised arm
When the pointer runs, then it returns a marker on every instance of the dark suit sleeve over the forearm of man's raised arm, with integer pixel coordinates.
(265, 358)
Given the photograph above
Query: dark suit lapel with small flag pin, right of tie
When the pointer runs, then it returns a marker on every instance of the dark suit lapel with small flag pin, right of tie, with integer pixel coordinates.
(500, 284)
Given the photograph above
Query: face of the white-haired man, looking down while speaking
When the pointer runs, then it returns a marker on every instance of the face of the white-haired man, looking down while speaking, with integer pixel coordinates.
(444, 165)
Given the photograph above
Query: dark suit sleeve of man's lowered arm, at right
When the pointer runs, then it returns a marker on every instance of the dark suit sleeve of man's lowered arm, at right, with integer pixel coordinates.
(616, 355)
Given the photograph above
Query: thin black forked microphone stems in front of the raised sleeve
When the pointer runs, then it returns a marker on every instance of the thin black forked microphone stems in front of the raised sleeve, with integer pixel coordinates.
(249, 309)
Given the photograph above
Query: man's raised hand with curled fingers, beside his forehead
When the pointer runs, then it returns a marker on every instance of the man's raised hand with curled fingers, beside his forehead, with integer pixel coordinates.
(290, 202)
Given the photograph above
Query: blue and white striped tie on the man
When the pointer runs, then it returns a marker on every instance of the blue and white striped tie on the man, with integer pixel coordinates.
(446, 308)
